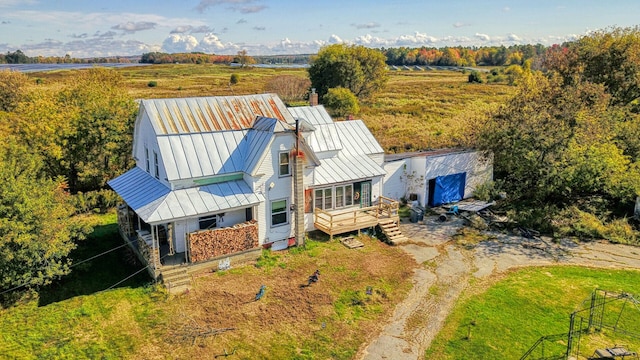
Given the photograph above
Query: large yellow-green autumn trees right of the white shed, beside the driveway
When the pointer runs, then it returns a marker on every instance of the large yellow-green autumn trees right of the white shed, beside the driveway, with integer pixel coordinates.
(566, 146)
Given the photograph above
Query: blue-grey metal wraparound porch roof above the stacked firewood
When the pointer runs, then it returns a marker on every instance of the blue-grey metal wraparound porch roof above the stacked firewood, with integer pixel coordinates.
(155, 203)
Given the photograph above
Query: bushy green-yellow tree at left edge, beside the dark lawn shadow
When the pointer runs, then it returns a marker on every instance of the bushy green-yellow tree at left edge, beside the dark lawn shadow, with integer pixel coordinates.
(36, 230)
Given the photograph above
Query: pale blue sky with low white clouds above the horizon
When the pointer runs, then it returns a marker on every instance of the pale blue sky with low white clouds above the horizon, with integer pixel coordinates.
(87, 28)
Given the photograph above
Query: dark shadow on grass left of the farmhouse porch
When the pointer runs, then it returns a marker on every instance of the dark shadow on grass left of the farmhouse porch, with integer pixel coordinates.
(100, 273)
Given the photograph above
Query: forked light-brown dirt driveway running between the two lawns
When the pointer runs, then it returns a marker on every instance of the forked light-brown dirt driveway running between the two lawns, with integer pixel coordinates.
(447, 268)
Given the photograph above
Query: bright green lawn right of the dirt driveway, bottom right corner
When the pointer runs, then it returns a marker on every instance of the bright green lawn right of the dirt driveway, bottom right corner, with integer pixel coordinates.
(504, 321)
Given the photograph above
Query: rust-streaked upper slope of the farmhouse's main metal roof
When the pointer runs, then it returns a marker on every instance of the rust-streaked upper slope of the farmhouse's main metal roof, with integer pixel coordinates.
(209, 114)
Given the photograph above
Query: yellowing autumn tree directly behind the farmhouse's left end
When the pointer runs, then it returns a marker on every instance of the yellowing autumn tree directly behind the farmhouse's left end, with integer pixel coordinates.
(83, 131)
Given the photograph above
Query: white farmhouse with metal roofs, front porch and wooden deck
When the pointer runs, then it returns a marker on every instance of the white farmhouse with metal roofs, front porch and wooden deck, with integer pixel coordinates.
(219, 178)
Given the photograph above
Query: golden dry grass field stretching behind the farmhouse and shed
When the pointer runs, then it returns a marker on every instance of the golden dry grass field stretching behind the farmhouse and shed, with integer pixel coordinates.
(417, 110)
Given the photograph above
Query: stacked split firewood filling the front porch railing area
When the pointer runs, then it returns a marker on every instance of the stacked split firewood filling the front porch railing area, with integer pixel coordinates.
(208, 244)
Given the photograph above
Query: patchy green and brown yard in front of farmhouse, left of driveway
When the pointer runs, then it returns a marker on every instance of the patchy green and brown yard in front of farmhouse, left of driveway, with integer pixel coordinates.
(77, 318)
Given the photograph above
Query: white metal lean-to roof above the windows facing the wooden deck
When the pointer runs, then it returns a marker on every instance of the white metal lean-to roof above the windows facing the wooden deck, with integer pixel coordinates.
(346, 169)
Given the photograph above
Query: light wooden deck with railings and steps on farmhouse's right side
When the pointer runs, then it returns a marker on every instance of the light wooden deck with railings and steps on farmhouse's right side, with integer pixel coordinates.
(342, 221)
